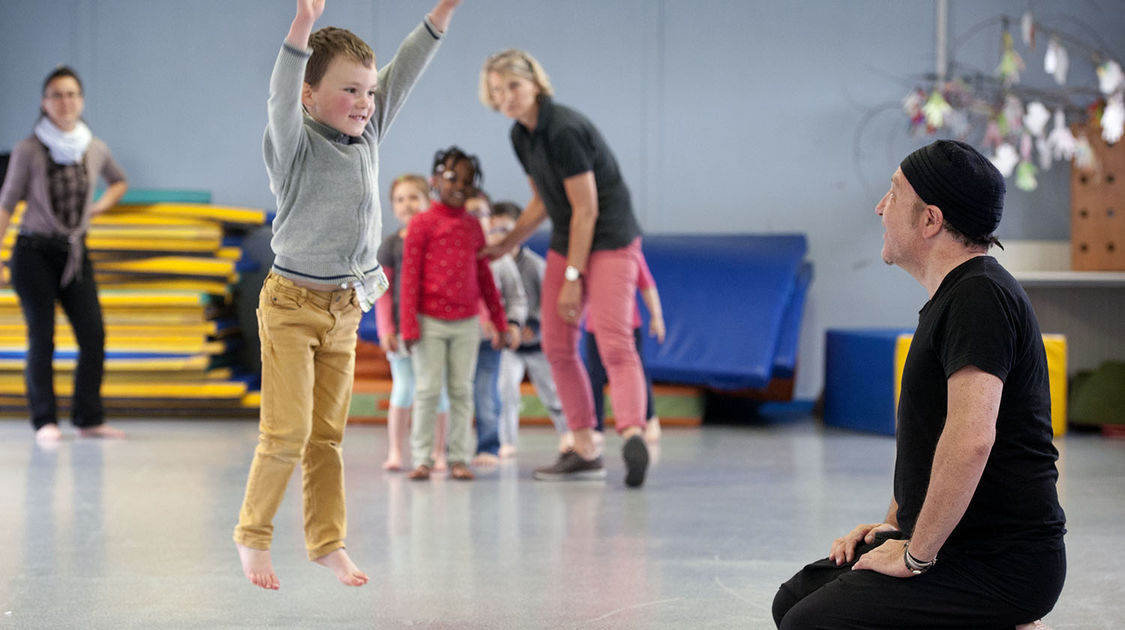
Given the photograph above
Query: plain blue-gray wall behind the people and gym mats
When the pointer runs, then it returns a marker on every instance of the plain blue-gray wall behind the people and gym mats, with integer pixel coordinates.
(727, 115)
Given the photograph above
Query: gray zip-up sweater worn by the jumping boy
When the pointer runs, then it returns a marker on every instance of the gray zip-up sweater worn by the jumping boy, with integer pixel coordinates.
(329, 221)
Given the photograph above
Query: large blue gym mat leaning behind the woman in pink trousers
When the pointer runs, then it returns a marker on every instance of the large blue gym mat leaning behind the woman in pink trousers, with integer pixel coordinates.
(733, 305)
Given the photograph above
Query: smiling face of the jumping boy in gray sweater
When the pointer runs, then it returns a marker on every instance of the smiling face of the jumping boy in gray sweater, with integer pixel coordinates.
(345, 98)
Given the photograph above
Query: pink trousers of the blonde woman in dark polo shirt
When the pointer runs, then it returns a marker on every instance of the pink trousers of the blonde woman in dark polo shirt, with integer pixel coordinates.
(608, 294)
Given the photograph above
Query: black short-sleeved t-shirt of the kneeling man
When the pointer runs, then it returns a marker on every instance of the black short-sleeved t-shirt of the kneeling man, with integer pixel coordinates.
(982, 317)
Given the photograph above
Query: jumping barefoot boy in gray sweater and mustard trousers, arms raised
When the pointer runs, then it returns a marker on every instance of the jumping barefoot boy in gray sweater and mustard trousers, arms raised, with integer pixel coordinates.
(329, 110)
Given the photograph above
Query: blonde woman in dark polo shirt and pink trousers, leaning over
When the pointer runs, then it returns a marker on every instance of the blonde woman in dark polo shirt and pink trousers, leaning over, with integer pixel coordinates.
(593, 260)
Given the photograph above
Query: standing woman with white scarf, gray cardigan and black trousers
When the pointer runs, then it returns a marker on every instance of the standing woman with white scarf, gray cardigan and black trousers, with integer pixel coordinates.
(56, 170)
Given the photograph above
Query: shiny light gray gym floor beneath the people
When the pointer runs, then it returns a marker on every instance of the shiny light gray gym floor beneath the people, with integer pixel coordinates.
(137, 534)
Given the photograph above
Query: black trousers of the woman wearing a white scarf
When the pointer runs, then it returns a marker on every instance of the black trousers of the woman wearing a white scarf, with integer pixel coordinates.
(37, 269)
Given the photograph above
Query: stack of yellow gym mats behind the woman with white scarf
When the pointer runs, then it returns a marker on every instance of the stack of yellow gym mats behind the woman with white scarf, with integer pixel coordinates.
(167, 264)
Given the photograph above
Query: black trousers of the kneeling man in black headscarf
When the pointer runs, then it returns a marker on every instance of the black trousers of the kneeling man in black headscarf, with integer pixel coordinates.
(965, 591)
